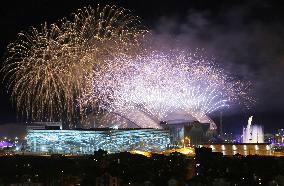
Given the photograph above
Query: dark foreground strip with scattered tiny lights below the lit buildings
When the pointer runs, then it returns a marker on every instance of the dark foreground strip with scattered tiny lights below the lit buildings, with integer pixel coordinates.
(206, 168)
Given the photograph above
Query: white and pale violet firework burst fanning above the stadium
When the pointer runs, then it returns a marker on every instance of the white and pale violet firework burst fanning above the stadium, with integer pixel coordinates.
(149, 87)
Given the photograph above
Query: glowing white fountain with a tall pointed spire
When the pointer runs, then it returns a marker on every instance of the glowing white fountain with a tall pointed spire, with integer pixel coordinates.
(253, 133)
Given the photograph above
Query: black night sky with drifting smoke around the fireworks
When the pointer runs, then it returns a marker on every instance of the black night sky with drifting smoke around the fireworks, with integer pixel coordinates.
(245, 37)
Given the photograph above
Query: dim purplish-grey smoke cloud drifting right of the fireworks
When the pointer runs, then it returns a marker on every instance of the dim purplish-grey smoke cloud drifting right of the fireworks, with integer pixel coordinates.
(250, 48)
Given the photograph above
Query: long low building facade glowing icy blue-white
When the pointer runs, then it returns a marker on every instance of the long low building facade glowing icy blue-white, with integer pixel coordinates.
(88, 141)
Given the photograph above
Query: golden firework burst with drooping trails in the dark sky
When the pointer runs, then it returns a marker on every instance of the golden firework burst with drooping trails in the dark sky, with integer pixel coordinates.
(47, 68)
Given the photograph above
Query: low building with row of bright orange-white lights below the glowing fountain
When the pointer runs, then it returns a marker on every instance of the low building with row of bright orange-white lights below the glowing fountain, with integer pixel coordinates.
(230, 149)
